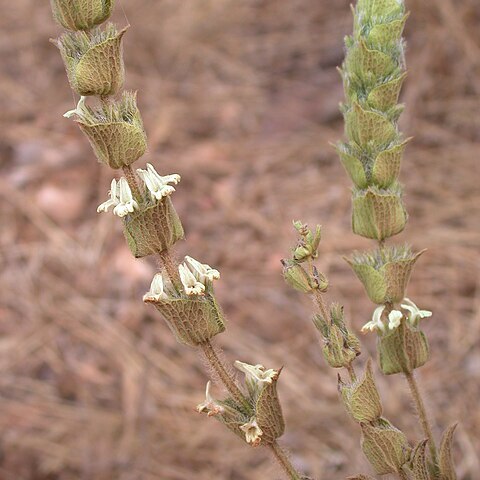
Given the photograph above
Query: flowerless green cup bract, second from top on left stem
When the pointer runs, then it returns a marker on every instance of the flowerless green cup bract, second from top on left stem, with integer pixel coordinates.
(94, 62)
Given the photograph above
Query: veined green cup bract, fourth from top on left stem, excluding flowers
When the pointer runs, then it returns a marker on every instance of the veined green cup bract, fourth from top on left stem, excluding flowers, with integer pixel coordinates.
(153, 228)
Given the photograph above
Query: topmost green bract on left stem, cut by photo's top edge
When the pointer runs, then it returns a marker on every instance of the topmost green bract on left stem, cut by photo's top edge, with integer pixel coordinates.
(81, 14)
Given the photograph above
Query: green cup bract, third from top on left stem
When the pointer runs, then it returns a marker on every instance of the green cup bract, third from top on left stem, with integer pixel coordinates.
(115, 131)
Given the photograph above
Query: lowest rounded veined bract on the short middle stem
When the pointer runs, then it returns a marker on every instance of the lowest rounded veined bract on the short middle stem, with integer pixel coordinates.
(385, 447)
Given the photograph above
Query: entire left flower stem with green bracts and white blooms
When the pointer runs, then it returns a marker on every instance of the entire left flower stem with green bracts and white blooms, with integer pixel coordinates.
(181, 292)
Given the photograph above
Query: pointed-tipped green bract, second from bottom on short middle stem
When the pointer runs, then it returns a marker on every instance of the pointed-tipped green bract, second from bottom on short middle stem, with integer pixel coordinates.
(361, 398)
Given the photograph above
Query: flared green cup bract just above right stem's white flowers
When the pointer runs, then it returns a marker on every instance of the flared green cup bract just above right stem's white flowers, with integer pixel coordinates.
(385, 272)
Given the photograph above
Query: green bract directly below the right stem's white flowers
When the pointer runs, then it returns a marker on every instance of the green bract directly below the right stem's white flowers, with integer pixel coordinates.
(403, 349)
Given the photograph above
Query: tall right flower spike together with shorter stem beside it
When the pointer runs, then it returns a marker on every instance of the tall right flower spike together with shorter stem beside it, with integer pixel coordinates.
(373, 73)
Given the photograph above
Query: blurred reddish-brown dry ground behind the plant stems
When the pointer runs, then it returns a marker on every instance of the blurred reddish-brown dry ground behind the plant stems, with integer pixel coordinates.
(241, 98)
